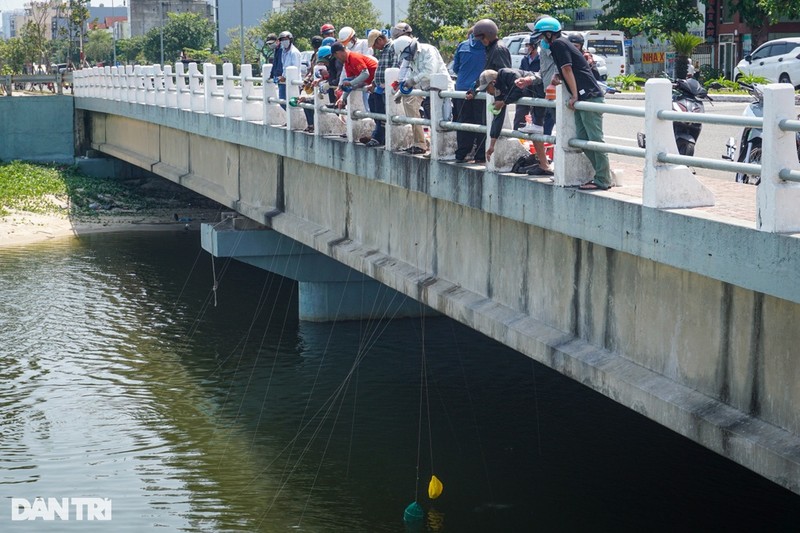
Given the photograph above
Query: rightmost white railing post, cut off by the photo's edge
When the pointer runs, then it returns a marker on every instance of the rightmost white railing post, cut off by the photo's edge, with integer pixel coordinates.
(778, 201)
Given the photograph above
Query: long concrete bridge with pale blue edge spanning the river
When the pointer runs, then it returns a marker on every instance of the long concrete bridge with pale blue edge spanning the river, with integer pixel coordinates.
(685, 315)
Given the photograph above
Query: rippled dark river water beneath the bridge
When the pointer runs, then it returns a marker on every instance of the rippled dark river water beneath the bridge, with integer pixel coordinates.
(122, 379)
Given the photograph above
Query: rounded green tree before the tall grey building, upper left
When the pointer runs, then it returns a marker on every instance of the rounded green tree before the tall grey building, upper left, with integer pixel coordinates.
(182, 30)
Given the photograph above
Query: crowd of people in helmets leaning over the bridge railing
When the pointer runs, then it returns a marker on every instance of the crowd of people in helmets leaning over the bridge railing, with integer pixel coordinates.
(342, 62)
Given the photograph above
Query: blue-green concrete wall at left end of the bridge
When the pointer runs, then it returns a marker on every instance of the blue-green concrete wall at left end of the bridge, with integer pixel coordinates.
(37, 128)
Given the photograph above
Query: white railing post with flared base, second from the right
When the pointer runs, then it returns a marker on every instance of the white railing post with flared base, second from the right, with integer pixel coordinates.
(666, 185)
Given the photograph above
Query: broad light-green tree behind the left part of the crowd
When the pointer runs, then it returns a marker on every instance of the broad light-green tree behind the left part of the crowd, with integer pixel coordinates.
(305, 19)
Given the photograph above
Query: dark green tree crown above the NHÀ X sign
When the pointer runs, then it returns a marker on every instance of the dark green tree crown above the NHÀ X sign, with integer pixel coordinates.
(653, 18)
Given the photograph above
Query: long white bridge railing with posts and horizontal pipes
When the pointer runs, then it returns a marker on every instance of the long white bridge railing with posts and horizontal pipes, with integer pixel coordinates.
(667, 183)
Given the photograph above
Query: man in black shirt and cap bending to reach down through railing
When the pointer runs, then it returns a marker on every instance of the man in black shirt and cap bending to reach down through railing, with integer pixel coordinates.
(502, 86)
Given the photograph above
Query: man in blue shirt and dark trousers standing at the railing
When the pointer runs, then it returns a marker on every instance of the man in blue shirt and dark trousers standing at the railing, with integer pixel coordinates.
(468, 62)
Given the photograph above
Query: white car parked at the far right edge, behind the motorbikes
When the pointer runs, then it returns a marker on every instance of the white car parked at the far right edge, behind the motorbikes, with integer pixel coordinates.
(777, 61)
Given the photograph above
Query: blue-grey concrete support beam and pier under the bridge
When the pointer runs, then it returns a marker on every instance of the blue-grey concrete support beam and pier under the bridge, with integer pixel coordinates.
(328, 290)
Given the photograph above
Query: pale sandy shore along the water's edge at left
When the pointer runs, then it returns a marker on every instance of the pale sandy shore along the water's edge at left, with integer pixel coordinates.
(21, 228)
